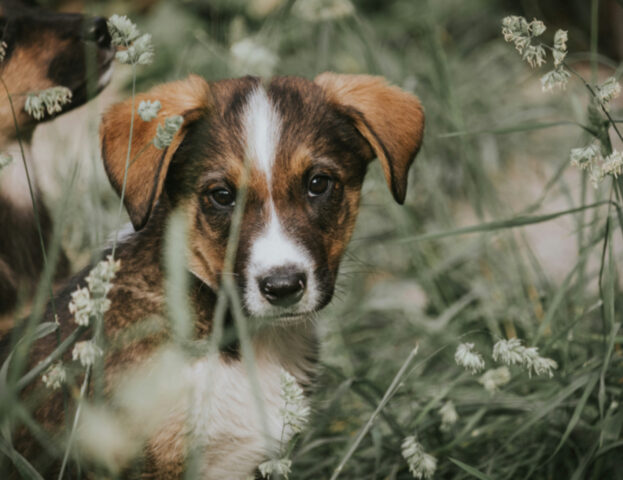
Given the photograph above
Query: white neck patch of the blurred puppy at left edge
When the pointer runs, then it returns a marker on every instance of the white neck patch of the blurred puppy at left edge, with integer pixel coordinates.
(14, 186)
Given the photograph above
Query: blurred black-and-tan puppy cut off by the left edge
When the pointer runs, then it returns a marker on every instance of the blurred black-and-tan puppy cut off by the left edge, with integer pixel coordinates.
(43, 49)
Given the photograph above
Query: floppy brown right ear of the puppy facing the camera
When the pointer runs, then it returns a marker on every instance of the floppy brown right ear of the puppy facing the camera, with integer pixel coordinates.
(390, 119)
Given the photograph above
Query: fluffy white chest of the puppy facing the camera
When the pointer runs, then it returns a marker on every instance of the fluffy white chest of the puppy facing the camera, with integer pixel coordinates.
(236, 424)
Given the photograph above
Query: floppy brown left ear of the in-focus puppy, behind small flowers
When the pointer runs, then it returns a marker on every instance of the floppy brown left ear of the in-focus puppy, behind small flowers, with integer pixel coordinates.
(148, 164)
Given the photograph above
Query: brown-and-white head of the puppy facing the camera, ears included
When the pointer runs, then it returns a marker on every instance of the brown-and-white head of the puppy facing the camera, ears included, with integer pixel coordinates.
(301, 149)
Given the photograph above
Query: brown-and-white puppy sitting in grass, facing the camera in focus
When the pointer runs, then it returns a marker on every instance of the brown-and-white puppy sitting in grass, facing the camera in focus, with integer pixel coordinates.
(307, 145)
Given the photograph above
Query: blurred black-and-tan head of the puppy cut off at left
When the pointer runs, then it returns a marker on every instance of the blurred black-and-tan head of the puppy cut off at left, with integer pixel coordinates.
(46, 49)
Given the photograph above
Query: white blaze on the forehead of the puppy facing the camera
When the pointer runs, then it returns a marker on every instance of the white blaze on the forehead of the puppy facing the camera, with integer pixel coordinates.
(262, 127)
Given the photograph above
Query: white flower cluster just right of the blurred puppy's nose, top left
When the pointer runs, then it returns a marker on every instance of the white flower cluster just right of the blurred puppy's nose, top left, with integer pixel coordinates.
(138, 49)
